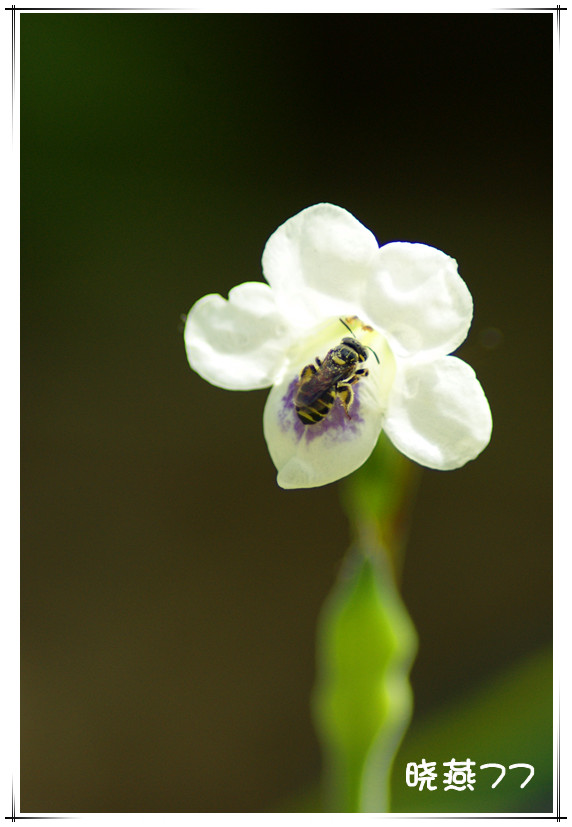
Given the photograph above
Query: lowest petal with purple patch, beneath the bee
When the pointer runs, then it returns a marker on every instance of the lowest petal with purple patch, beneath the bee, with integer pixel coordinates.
(311, 455)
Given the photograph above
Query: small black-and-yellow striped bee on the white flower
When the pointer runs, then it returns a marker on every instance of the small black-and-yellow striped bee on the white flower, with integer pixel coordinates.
(321, 383)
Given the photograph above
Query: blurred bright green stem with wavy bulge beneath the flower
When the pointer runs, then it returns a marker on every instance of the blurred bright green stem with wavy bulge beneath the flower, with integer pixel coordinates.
(366, 642)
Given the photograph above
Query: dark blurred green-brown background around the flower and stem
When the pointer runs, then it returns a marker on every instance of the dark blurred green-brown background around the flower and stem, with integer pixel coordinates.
(170, 590)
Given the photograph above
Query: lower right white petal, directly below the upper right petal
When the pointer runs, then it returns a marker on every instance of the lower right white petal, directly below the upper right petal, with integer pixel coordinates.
(438, 413)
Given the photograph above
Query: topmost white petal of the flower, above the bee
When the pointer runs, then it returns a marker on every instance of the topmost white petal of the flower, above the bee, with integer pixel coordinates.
(318, 263)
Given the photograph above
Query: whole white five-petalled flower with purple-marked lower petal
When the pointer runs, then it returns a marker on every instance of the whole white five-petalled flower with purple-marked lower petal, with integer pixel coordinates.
(408, 306)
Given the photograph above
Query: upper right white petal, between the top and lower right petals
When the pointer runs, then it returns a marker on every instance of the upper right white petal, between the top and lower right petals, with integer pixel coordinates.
(419, 300)
